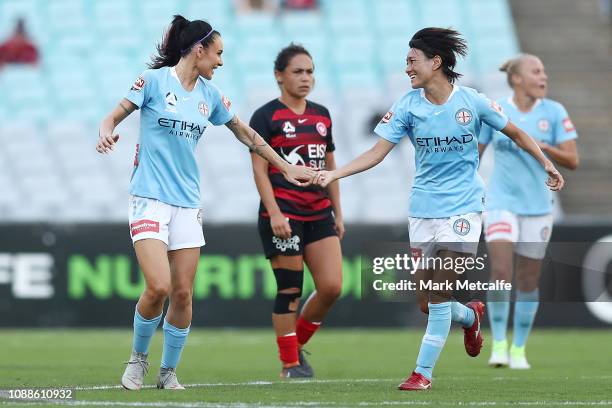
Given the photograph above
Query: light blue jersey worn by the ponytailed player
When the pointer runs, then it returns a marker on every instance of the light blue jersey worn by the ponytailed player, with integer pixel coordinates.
(172, 121)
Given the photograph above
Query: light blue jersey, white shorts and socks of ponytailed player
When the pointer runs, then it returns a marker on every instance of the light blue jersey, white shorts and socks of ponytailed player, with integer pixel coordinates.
(165, 184)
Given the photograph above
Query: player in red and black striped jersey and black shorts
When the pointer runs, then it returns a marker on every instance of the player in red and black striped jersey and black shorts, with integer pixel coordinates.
(298, 224)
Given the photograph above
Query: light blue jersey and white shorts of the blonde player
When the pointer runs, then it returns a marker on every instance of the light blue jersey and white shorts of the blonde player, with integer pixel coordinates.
(519, 203)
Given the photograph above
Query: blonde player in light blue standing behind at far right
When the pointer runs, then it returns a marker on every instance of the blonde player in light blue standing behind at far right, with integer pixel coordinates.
(518, 215)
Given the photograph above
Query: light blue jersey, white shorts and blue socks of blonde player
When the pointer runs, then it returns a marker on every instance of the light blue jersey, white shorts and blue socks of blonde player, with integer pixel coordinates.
(519, 204)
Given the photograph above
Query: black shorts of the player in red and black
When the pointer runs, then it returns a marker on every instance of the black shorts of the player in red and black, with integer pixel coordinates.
(302, 234)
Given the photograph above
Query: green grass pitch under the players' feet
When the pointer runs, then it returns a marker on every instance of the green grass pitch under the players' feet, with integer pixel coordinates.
(360, 367)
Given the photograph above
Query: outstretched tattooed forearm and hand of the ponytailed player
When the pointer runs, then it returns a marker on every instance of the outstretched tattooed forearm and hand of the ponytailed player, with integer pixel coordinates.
(253, 140)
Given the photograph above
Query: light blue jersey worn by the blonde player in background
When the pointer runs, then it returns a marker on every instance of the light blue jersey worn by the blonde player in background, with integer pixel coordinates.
(518, 180)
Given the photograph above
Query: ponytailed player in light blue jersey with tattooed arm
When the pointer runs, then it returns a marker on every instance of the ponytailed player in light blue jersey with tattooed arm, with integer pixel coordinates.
(176, 100)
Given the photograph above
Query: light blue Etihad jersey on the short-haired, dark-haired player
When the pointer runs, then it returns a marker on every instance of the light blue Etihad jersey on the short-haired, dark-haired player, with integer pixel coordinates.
(445, 138)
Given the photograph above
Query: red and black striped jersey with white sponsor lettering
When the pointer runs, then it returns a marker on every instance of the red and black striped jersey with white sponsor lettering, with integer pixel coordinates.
(301, 140)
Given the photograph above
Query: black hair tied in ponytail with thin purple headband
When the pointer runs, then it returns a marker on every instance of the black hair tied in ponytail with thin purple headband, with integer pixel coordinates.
(180, 39)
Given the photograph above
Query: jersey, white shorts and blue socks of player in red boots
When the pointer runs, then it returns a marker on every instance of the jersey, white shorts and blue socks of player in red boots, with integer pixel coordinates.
(447, 195)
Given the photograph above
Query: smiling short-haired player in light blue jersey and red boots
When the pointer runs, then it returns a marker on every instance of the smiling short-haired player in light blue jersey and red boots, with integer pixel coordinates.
(443, 122)
